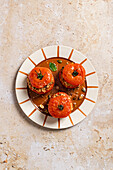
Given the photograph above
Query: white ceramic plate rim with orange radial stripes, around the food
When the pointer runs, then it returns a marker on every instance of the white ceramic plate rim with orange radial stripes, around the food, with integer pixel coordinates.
(33, 113)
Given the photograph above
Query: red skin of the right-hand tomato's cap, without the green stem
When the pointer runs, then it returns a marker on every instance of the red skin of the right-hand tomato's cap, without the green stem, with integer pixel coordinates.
(68, 71)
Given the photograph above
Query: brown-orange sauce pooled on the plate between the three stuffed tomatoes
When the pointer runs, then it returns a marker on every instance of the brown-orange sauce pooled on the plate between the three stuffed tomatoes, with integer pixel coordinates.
(77, 94)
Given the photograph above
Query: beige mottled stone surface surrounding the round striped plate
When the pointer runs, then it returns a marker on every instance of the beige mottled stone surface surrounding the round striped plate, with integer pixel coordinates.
(28, 25)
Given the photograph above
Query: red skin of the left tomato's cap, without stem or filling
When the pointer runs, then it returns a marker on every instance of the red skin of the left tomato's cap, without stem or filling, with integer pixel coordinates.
(47, 77)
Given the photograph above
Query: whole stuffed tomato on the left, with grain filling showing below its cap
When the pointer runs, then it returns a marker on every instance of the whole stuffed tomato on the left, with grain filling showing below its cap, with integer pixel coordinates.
(40, 80)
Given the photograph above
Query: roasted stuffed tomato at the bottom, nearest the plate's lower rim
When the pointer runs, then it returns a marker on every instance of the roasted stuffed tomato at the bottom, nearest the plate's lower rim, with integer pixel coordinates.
(60, 105)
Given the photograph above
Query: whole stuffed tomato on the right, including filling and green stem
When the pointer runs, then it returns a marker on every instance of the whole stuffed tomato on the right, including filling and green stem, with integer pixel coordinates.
(72, 75)
